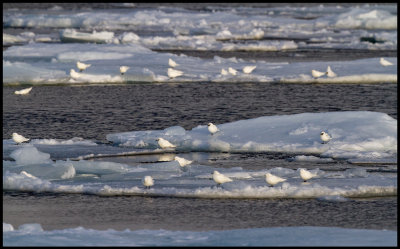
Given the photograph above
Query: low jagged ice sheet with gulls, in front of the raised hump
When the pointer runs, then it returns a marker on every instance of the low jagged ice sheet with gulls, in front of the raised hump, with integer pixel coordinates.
(194, 181)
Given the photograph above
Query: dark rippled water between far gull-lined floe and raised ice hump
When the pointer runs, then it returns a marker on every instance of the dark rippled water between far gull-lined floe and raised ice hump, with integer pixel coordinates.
(92, 112)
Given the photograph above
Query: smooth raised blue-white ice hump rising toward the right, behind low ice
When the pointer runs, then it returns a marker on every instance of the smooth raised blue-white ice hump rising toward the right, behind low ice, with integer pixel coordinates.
(355, 134)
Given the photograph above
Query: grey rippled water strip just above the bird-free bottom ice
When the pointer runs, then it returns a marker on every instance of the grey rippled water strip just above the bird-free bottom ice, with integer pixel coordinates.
(134, 212)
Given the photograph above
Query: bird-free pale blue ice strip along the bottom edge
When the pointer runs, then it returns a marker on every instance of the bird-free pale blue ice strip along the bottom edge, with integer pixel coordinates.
(34, 235)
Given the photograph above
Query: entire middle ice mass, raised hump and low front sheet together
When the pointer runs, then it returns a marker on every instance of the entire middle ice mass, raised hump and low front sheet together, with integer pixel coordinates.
(357, 136)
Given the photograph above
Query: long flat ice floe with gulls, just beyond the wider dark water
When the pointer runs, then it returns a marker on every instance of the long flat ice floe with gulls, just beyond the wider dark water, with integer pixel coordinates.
(53, 64)
